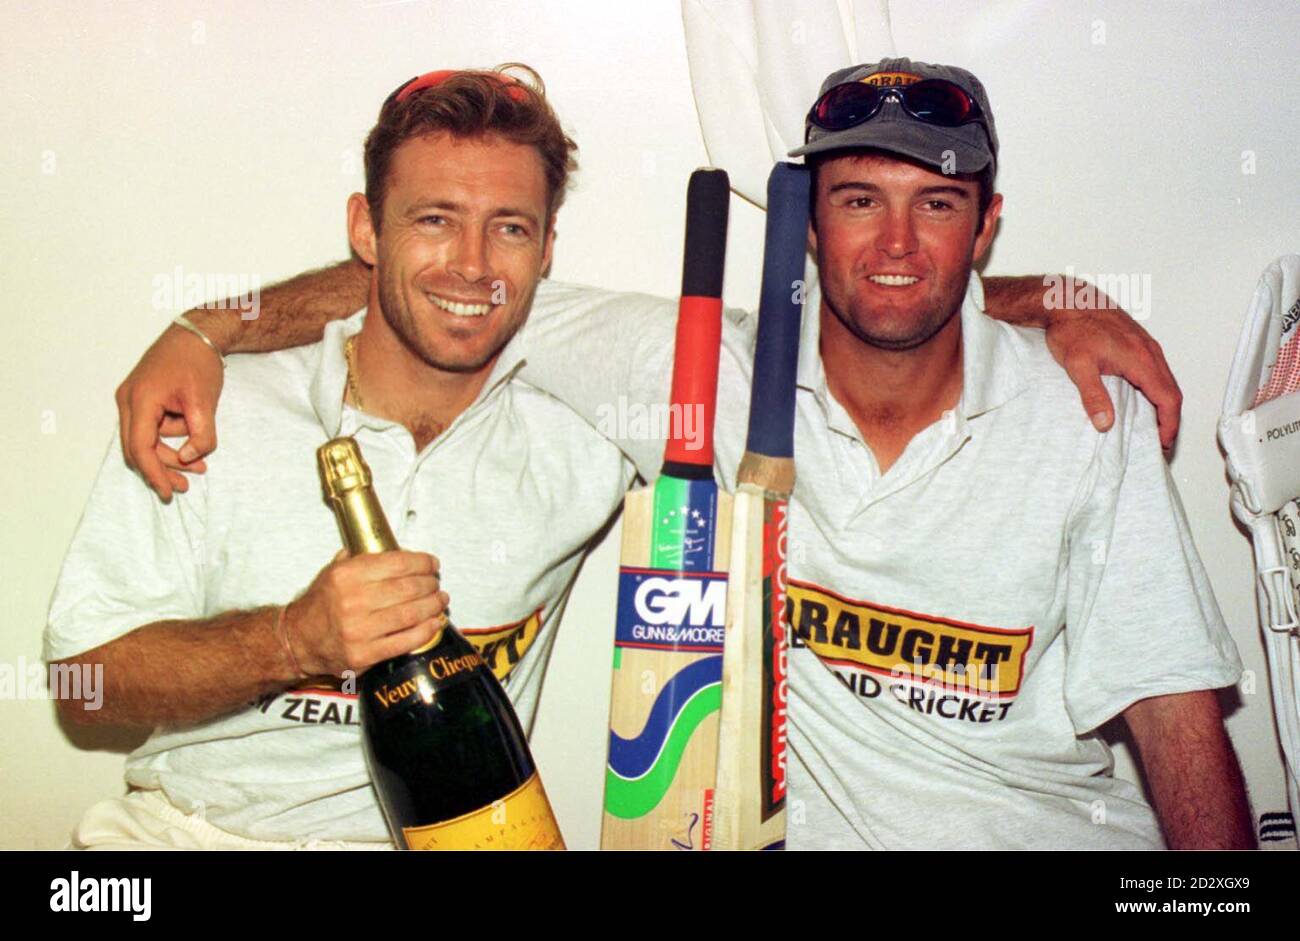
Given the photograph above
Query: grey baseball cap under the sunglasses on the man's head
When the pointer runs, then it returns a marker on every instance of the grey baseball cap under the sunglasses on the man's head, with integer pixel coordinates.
(895, 131)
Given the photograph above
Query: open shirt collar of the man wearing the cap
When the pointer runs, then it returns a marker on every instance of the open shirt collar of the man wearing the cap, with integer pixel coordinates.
(991, 374)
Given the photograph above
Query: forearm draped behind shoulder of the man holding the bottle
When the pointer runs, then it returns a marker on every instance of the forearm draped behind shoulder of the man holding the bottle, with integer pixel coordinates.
(291, 314)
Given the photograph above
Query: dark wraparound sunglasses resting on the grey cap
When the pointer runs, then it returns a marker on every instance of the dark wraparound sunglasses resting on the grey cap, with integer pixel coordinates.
(933, 101)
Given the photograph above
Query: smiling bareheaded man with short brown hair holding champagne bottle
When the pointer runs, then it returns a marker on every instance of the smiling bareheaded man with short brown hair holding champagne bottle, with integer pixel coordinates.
(213, 617)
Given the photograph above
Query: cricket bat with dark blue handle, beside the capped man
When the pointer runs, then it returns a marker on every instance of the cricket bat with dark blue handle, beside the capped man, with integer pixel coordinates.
(749, 801)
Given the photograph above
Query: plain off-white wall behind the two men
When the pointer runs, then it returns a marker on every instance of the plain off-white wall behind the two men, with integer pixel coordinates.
(226, 138)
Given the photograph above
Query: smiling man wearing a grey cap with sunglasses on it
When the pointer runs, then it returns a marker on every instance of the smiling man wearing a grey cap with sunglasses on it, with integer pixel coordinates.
(980, 579)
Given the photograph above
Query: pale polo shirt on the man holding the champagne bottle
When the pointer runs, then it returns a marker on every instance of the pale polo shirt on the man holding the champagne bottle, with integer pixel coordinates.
(493, 497)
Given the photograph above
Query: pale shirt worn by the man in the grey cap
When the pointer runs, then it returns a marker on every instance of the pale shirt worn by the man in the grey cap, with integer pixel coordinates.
(965, 622)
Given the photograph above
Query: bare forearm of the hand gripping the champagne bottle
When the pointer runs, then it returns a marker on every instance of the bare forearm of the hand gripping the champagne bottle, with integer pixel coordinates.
(184, 673)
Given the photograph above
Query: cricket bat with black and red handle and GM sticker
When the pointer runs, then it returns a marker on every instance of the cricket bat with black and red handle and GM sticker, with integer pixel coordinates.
(673, 582)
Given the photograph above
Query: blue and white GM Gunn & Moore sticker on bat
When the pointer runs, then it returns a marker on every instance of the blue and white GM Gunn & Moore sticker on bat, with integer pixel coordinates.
(664, 610)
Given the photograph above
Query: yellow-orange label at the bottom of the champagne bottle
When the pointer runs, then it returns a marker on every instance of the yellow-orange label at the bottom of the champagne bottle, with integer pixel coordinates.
(522, 821)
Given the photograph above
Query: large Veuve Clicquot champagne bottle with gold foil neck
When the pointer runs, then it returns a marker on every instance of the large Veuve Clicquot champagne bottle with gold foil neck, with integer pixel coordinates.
(447, 753)
